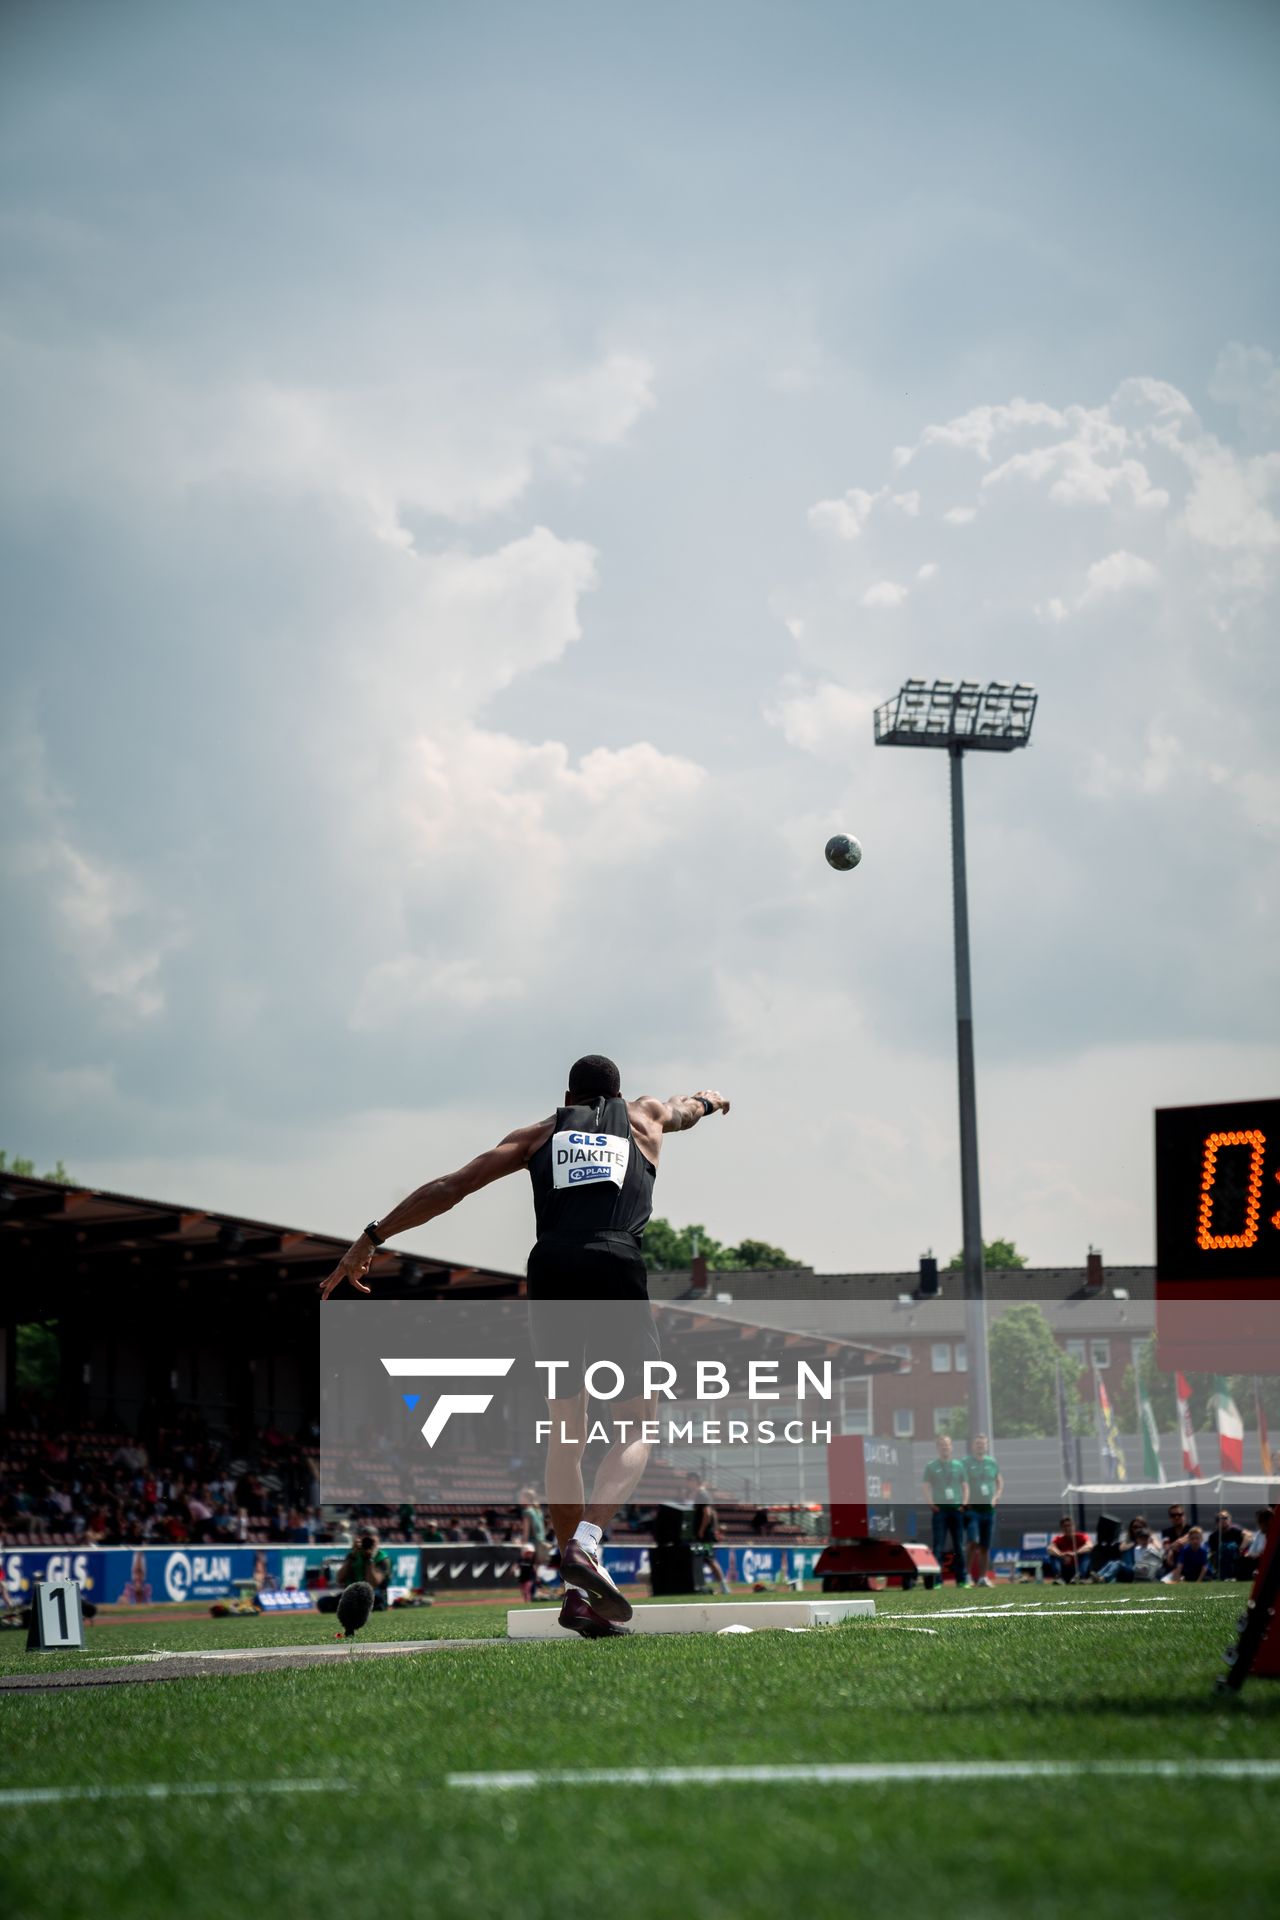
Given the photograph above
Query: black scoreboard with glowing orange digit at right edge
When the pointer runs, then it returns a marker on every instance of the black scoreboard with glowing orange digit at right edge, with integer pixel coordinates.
(1218, 1237)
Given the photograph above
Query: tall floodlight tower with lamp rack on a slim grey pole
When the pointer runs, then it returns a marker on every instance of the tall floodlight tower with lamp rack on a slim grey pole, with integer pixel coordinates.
(964, 717)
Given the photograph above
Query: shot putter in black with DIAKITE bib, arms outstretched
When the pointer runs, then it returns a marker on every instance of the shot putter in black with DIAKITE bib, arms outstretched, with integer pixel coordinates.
(594, 1166)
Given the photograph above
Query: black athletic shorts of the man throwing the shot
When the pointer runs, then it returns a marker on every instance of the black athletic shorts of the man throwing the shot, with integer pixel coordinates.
(590, 1303)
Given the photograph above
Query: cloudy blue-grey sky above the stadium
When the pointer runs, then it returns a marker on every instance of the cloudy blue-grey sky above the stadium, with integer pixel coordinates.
(471, 473)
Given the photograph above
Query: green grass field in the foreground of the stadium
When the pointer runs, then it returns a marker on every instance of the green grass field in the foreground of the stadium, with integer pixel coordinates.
(379, 1827)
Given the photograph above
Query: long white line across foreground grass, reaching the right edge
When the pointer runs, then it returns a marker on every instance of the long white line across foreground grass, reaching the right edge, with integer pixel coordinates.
(876, 1773)
